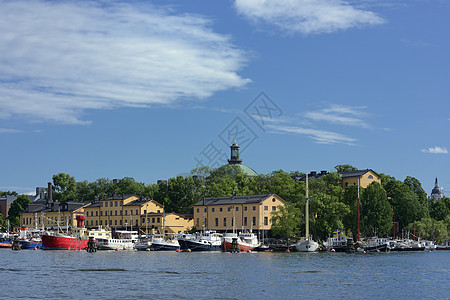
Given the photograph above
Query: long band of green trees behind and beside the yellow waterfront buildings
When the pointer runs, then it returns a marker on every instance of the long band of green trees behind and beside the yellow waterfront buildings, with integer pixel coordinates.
(397, 205)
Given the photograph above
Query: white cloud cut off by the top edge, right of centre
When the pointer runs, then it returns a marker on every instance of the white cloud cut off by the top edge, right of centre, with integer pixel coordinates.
(307, 16)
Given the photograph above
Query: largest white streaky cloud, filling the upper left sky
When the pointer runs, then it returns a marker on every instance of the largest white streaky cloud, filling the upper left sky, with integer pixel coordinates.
(62, 58)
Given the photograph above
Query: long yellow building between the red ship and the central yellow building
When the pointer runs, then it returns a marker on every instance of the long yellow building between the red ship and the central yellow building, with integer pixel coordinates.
(120, 211)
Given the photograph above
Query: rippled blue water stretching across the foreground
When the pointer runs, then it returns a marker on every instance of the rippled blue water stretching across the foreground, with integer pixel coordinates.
(170, 275)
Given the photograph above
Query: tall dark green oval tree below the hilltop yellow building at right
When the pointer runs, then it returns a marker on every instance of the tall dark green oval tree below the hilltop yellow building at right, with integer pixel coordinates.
(376, 211)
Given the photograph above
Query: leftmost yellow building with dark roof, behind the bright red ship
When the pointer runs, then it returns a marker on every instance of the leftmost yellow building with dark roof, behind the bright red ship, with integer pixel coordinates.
(51, 215)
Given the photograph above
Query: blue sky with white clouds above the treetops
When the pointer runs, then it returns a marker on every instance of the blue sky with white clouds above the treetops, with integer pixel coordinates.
(154, 89)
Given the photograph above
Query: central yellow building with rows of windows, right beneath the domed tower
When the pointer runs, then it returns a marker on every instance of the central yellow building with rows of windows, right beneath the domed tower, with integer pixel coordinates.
(240, 212)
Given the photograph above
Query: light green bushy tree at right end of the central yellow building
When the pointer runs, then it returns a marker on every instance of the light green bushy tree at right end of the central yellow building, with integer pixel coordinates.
(286, 220)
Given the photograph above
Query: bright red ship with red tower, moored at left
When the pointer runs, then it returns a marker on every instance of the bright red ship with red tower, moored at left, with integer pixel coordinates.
(77, 241)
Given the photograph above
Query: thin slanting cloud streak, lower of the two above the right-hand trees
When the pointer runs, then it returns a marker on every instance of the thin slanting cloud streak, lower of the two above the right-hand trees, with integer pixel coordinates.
(320, 136)
